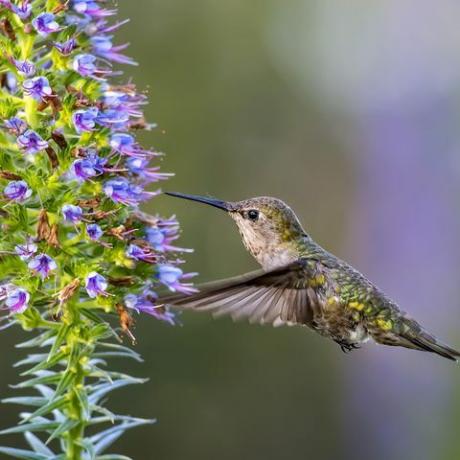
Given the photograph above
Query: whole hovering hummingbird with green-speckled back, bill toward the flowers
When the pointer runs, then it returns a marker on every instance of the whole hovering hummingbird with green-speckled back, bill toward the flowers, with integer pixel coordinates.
(302, 284)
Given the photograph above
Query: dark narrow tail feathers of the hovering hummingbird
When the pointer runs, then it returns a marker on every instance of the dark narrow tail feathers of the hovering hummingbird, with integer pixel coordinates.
(419, 339)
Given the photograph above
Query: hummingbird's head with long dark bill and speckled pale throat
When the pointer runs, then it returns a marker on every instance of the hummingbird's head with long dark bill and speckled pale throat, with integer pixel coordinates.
(269, 227)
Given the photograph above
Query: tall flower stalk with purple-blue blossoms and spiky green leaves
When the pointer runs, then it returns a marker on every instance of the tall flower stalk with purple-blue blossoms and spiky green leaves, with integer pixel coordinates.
(78, 260)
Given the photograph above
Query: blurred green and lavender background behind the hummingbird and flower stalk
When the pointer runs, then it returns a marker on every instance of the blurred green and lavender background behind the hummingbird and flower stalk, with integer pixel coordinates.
(350, 112)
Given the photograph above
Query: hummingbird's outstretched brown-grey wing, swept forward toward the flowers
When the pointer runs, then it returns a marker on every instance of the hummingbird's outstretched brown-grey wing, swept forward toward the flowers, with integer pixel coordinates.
(281, 296)
